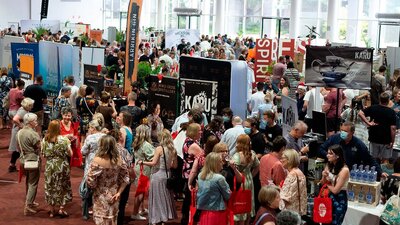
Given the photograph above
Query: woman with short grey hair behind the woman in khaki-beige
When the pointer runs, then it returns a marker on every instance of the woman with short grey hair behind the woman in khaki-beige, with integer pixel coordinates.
(26, 106)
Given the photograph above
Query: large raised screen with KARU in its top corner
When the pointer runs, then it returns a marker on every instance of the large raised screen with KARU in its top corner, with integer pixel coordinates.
(340, 67)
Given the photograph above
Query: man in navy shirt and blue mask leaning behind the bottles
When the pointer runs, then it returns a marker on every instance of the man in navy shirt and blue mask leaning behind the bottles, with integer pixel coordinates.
(355, 151)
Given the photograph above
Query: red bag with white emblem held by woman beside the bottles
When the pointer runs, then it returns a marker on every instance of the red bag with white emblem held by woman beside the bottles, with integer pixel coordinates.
(322, 207)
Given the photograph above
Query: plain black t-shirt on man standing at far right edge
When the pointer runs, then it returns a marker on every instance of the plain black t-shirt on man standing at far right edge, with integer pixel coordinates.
(384, 117)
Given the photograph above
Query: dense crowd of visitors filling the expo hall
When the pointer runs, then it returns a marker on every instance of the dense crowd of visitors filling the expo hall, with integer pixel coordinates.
(117, 146)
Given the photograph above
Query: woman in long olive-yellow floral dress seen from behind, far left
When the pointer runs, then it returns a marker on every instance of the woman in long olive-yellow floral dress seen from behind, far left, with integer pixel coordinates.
(57, 186)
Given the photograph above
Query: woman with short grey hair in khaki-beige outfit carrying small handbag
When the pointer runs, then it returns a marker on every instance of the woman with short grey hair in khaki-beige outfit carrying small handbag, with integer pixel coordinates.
(29, 143)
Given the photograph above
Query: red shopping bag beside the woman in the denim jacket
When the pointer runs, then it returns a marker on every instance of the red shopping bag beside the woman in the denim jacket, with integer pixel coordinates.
(240, 200)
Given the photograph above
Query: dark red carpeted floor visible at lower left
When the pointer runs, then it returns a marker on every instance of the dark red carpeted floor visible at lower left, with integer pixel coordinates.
(12, 196)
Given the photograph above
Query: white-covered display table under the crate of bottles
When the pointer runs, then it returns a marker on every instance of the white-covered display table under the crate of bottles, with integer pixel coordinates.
(362, 215)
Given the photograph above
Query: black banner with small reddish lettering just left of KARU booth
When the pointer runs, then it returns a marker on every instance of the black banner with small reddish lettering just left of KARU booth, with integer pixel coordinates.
(165, 94)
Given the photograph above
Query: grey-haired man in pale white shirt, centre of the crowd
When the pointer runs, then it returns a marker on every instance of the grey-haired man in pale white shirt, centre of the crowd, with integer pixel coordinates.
(230, 135)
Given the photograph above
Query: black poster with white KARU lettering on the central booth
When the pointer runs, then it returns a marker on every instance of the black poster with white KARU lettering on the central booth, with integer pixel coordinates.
(199, 92)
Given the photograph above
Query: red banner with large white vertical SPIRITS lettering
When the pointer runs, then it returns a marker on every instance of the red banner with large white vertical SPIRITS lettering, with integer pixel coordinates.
(267, 52)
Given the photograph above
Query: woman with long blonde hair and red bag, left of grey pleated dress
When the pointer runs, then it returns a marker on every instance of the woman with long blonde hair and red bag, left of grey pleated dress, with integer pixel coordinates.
(144, 151)
